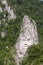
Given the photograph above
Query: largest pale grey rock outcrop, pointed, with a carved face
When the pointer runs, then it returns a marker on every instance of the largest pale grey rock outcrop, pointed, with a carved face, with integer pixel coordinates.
(28, 36)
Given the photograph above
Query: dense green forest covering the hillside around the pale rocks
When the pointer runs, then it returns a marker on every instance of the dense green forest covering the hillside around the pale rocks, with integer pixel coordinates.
(32, 8)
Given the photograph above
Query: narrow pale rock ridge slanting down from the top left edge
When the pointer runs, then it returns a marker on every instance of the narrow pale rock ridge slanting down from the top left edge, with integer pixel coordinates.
(9, 10)
